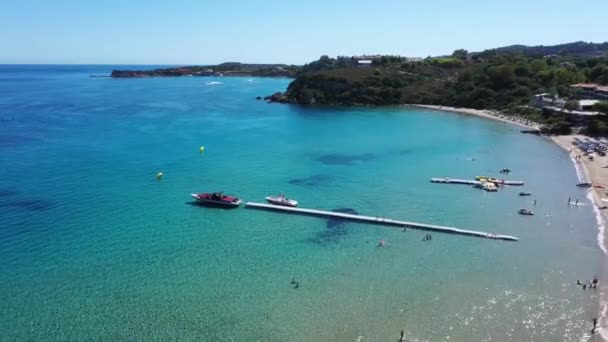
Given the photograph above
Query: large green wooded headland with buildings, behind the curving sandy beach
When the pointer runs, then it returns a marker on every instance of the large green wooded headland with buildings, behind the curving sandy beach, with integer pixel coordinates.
(561, 87)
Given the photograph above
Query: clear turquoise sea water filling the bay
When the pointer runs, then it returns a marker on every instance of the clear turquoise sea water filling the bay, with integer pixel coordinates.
(94, 248)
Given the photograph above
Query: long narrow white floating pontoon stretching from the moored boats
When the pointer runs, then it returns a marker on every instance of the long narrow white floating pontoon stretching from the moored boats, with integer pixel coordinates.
(381, 221)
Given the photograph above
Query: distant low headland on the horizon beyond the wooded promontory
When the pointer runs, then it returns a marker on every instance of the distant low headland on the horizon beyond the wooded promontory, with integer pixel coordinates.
(224, 69)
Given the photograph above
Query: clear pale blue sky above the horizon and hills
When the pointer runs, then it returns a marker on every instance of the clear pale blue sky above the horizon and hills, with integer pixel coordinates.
(269, 31)
